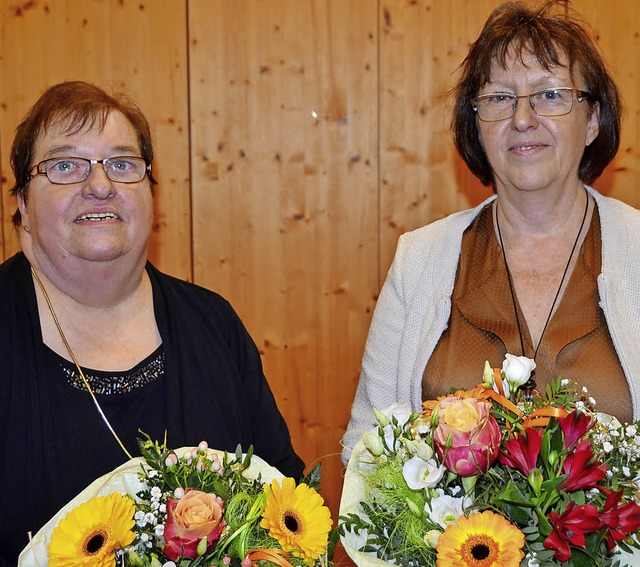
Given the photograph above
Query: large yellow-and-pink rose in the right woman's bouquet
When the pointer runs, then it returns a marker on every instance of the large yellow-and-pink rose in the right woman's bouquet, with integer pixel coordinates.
(467, 436)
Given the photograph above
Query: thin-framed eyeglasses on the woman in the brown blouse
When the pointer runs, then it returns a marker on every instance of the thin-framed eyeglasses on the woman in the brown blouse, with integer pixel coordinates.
(558, 101)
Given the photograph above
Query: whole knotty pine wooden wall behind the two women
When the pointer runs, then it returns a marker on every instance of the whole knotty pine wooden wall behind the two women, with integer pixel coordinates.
(296, 140)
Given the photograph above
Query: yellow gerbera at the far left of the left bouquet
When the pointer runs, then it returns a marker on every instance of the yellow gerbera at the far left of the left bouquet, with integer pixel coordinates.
(90, 533)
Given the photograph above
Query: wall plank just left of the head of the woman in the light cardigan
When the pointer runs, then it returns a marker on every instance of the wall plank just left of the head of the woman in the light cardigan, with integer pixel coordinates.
(422, 43)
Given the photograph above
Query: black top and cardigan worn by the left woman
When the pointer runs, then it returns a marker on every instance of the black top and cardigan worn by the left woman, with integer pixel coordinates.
(53, 442)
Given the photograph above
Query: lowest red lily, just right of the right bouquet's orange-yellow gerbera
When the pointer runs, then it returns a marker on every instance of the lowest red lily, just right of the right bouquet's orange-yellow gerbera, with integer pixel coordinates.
(570, 527)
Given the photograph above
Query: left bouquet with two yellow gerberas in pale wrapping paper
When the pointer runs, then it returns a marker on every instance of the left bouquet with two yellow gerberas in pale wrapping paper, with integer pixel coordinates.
(190, 507)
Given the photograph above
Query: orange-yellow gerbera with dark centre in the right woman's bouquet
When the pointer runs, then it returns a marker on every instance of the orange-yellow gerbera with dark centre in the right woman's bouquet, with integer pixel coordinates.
(481, 540)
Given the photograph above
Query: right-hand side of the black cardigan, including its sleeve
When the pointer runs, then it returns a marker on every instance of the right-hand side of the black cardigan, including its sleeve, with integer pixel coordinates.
(220, 392)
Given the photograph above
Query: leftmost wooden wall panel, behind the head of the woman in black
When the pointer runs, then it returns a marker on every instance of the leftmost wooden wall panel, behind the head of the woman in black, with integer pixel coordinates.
(133, 46)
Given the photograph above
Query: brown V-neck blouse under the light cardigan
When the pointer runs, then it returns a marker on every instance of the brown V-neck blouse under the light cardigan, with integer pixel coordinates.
(575, 345)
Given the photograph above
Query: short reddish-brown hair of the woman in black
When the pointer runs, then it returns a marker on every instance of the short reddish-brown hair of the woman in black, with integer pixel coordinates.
(77, 105)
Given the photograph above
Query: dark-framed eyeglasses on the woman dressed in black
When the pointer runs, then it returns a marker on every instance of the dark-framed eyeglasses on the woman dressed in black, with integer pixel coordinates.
(67, 170)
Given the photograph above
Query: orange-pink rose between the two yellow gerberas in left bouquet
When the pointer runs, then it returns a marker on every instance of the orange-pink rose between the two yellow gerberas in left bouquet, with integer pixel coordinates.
(195, 516)
